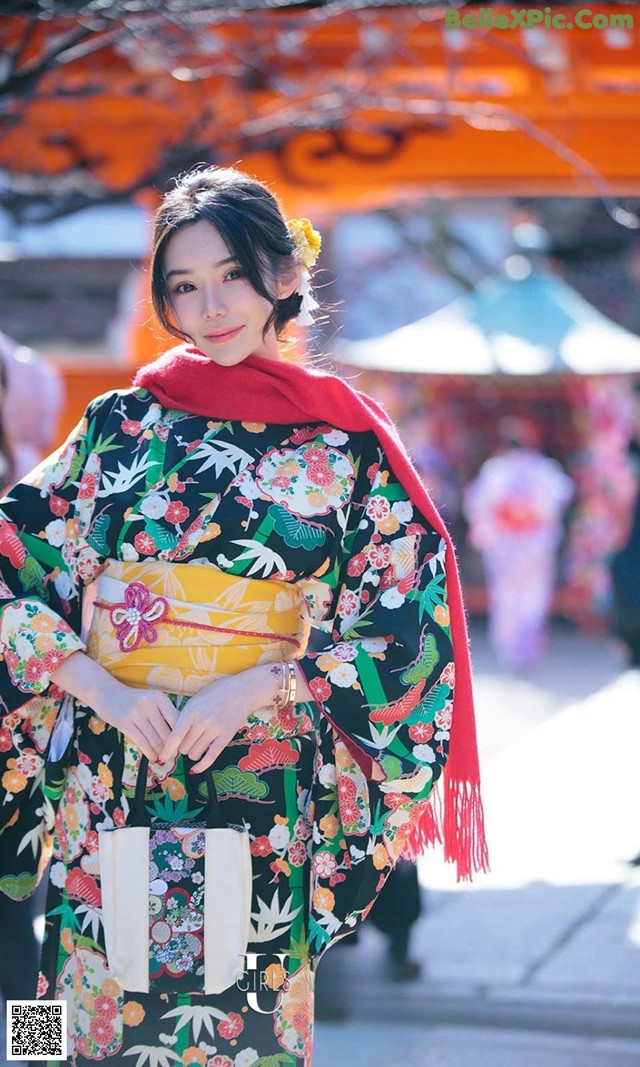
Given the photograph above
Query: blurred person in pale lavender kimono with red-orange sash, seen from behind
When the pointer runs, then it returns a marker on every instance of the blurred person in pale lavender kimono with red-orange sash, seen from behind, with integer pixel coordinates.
(516, 508)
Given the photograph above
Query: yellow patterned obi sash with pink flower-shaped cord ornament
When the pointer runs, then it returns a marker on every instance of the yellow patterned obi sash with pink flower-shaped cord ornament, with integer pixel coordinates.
(179, 627)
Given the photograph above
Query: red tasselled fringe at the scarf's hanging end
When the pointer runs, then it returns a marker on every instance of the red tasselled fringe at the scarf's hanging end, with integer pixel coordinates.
(457, 821)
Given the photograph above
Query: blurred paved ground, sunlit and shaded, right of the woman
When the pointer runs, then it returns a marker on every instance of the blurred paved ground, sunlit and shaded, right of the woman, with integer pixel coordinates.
(539, 963)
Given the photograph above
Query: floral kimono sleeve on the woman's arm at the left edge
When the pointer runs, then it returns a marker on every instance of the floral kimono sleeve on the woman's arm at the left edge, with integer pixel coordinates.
(50, 549)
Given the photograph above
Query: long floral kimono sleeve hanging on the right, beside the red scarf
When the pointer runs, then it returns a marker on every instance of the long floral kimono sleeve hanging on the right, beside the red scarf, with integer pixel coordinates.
(383, 684)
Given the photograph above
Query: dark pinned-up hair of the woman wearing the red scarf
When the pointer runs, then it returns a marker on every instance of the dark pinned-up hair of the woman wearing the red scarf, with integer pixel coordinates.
(250, 221)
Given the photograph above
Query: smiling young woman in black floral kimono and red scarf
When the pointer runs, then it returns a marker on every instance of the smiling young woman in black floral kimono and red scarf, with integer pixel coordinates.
(214, 514)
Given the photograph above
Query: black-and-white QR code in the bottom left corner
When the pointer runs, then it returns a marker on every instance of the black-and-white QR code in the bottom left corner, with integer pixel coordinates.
(37, 1030)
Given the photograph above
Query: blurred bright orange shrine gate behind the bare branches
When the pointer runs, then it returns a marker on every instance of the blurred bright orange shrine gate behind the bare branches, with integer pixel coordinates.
(340, 107)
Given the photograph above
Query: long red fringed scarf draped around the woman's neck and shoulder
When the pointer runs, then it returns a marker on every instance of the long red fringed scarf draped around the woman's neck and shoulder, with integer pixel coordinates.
(262, 390)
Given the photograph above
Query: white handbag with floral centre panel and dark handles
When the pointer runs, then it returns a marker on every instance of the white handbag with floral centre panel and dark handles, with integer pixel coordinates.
(177, 901)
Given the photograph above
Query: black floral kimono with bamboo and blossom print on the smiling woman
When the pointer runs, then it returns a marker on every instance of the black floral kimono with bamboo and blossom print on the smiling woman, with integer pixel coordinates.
(306, 504)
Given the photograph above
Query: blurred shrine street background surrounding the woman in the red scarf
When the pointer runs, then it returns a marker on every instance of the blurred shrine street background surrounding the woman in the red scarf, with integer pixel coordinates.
(478, 193)
